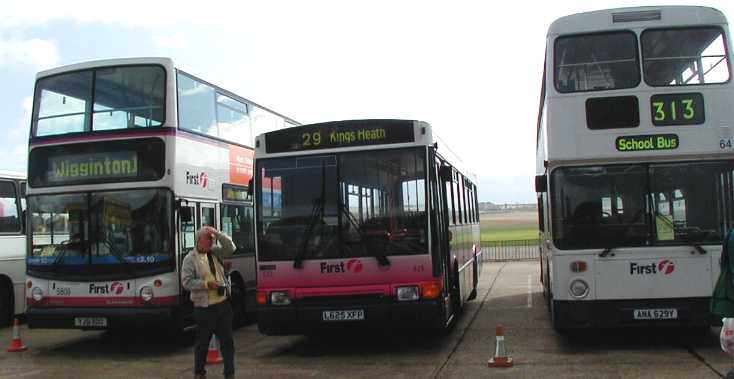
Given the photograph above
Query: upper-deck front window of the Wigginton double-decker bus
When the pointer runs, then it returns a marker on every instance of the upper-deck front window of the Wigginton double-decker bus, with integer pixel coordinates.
(100, 99)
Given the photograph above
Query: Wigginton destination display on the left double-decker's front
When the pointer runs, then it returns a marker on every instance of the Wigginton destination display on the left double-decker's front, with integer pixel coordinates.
(97, 162)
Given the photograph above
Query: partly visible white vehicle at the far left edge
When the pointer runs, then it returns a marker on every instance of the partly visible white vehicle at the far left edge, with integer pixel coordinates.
(12, 245)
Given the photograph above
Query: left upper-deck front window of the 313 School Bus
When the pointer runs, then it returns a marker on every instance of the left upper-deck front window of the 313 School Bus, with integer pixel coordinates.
(594, 62)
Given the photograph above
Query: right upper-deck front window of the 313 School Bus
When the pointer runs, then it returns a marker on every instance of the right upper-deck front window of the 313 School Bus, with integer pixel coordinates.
(679, 57)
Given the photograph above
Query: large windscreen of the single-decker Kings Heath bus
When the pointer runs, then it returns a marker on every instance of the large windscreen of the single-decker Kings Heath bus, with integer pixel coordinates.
(356, 204)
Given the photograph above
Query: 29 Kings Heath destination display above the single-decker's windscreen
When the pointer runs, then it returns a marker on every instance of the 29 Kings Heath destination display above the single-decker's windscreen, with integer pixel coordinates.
(339, 134)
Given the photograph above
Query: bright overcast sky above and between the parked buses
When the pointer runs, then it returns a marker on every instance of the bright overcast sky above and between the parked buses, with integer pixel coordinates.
(470, 68)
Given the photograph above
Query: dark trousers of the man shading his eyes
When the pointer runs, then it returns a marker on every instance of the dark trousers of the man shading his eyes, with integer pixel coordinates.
(214, 319)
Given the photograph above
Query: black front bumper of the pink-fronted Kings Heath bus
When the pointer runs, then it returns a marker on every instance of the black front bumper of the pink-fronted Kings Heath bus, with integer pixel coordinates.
(300, 318)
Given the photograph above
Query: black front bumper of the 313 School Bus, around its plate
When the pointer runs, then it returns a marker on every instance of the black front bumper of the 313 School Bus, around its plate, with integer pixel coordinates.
(621, 313)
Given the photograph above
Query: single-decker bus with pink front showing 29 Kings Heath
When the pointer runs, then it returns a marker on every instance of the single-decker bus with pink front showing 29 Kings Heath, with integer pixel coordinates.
(365, 222)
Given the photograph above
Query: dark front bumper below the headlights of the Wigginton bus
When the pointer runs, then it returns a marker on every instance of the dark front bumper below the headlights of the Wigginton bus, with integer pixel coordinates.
(66, 318)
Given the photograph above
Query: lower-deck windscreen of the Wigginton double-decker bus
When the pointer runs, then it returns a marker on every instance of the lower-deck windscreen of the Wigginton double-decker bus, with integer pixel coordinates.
(100, 232)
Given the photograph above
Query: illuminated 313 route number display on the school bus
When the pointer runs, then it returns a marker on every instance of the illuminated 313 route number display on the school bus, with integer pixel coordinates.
(677, 109)
